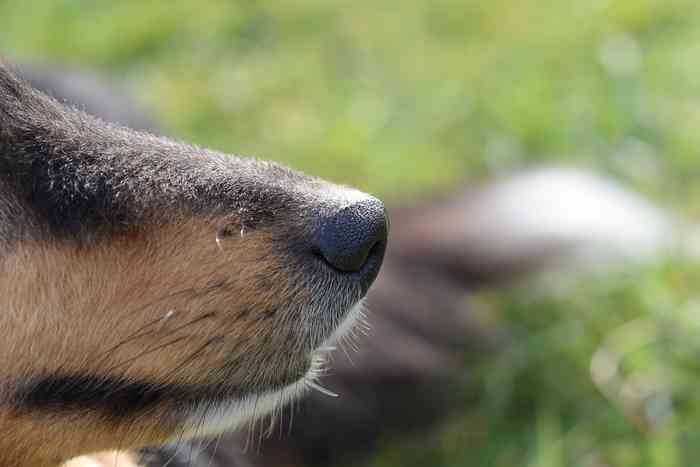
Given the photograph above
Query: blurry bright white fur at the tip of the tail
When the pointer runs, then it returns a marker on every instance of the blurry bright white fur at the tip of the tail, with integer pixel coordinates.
(602, 223)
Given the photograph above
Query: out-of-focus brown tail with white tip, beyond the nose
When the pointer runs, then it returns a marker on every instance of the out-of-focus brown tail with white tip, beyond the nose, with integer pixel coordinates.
(552, 218)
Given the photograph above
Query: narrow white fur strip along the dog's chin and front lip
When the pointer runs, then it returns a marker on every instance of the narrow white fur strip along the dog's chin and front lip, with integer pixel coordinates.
(211, 418)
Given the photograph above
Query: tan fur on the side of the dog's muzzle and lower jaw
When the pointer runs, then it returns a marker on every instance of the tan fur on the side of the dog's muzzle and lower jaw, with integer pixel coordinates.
(170, 306)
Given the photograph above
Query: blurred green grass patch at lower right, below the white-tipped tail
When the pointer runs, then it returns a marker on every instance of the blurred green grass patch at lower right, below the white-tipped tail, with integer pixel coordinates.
(605, 374)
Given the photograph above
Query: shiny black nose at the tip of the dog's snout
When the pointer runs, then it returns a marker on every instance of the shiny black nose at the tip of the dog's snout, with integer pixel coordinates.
(355, 236)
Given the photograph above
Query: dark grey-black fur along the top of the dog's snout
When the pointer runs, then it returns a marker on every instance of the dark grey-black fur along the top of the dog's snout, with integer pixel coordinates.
(80, 177)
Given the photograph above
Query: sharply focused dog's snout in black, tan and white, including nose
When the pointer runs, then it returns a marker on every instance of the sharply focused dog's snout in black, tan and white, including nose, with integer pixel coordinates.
(154, 291)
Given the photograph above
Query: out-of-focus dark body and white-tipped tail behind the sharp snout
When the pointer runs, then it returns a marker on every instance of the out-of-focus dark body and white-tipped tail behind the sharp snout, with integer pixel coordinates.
(398, 377)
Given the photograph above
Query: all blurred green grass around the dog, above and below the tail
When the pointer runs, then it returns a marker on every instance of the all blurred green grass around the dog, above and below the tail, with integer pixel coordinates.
(405, 97)
